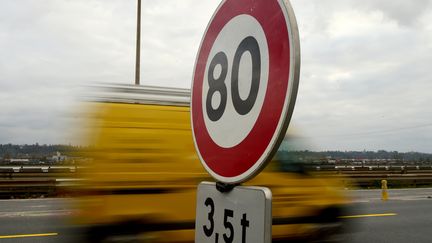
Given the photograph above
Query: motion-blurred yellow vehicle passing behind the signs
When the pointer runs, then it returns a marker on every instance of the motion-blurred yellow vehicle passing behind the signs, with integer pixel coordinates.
(141, 184)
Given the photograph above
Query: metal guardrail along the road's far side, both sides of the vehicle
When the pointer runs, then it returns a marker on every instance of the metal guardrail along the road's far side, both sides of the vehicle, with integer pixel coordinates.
(16, 181)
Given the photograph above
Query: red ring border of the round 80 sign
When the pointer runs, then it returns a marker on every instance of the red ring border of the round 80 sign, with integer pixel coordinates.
(234, 161)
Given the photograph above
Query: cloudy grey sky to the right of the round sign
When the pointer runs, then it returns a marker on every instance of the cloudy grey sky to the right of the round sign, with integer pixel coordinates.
(361, 81)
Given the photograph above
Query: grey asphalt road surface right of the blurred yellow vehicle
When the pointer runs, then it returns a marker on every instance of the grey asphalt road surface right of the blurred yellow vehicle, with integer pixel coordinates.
(405, 217)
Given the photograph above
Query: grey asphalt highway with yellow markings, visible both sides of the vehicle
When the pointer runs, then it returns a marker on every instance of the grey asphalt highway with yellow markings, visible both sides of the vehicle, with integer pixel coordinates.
(405, 217)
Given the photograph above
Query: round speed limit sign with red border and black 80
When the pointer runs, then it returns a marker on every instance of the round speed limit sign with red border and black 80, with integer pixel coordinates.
(244, 86)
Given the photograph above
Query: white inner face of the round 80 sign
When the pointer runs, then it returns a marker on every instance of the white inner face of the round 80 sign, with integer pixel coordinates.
(247, 86)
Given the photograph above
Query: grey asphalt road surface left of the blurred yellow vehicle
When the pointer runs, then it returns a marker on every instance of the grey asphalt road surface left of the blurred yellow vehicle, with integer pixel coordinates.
(36, 220)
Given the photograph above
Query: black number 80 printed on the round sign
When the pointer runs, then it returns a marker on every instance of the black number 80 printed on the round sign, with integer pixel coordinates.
(243, 107)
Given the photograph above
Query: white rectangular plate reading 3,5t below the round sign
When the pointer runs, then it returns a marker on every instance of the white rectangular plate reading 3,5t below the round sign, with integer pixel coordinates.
(241, 215)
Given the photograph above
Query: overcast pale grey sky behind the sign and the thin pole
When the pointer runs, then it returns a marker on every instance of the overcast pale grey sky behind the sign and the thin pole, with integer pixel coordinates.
(365, 78)
